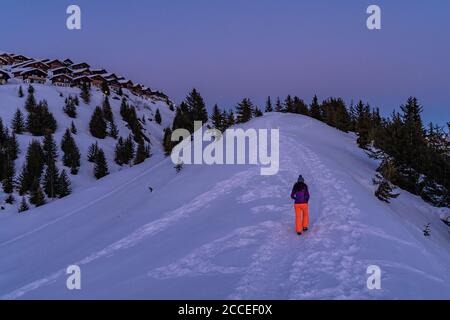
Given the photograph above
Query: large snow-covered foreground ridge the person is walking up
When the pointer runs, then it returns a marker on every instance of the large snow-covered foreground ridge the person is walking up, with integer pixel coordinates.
(227, 232)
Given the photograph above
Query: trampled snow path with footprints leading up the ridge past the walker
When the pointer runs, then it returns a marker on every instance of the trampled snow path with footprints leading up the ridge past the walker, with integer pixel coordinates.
(311, 266)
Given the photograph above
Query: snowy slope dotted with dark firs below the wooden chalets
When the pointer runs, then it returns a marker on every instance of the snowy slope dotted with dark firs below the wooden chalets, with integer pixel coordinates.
(55, 96)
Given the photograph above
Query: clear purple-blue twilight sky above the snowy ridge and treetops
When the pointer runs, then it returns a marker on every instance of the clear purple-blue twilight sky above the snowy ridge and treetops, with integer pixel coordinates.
(230, 49)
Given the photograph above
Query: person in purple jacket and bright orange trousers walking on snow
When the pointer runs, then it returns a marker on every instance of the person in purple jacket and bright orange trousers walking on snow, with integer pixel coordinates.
(300, 194)
